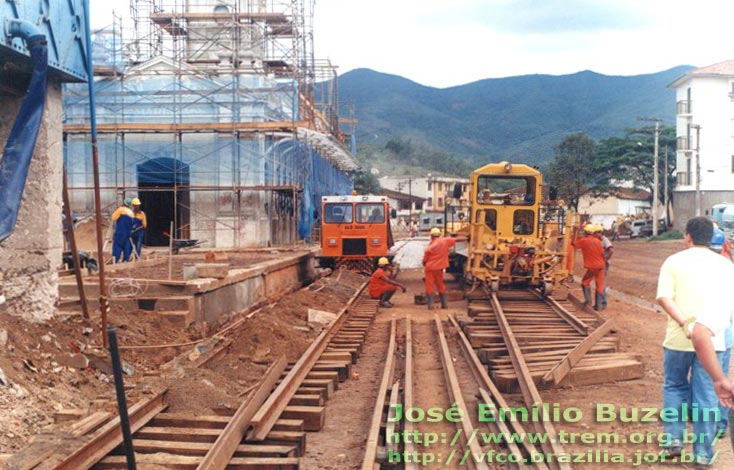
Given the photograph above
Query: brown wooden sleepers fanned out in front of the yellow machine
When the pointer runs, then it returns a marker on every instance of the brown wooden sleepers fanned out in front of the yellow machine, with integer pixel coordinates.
(563, 342)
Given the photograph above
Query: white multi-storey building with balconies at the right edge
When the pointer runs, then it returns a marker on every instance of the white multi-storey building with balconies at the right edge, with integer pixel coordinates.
(705, 133)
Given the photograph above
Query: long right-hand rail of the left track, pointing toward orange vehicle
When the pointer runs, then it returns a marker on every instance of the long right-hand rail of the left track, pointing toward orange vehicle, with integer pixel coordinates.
(268, 414)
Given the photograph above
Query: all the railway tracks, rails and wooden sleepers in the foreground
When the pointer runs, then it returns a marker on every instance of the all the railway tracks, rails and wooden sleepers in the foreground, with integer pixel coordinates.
(508, 344)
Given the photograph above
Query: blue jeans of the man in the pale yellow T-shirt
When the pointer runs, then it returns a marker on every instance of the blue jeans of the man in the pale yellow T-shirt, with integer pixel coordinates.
(699, 396)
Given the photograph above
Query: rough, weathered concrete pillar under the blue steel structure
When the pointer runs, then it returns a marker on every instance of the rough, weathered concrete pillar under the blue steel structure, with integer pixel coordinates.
(30, 257)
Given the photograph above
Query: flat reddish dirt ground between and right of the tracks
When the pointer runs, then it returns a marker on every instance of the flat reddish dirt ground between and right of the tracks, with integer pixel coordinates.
(641, 329)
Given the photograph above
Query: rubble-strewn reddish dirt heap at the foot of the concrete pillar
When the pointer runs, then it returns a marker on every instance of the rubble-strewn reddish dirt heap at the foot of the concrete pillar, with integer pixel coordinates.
(60, 365)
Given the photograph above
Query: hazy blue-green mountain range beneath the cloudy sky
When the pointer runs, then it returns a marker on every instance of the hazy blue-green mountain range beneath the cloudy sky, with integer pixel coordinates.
(520, 118)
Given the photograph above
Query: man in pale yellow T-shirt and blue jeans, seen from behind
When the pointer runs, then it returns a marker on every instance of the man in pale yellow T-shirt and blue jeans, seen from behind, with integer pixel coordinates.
(693, 289)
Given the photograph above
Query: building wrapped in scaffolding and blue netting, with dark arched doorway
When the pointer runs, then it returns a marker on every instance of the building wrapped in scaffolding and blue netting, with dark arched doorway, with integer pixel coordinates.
(216, 115)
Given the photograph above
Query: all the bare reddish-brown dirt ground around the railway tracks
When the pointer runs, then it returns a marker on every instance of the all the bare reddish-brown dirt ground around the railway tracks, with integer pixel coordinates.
(44, 385)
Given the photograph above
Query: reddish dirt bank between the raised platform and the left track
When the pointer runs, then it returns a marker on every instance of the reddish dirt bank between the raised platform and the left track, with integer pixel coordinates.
(42, 380)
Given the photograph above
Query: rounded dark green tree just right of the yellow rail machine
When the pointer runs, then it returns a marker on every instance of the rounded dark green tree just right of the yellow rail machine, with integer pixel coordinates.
(572, 170)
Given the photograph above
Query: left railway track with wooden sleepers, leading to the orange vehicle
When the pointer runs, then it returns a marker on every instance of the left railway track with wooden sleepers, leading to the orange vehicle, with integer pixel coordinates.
(268, 430)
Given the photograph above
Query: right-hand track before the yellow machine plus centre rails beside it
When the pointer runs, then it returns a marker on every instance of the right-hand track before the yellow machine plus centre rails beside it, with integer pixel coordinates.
(514, 341)
